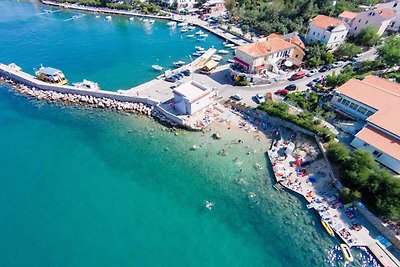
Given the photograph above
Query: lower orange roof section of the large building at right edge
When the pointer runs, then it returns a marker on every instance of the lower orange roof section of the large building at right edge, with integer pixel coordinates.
(381, 141)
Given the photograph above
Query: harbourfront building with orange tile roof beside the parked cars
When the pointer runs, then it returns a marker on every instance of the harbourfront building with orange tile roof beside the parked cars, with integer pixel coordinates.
(263, 55)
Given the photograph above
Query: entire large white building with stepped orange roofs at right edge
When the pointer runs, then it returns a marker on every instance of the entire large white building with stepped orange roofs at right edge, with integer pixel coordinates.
(375, 101)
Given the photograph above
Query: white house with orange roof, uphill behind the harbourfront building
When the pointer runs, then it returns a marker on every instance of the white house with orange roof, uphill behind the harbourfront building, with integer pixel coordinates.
(329, 31)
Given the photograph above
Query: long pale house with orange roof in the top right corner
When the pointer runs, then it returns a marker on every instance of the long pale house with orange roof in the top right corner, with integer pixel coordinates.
(378, 18)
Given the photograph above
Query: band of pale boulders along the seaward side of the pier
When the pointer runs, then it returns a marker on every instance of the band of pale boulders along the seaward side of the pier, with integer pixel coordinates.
(90, 101)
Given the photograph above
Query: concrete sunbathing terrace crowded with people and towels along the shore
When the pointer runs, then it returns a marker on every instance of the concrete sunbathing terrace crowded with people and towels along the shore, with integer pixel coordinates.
(300, 170)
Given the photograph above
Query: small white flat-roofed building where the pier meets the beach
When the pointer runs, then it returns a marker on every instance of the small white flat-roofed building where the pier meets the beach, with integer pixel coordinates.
(191, 98)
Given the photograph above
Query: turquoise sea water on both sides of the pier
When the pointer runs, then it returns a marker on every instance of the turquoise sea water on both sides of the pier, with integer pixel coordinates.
(85, 187)
